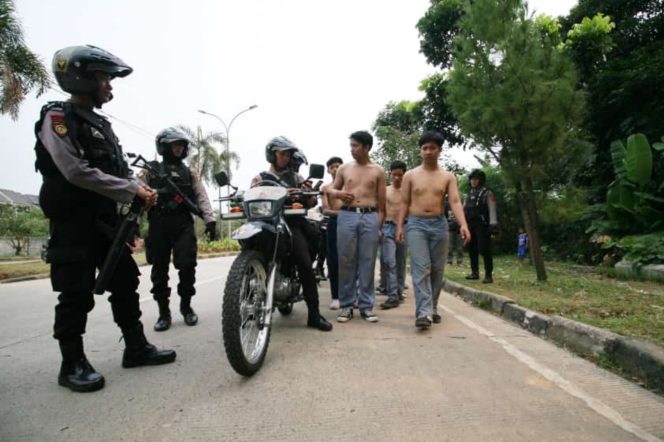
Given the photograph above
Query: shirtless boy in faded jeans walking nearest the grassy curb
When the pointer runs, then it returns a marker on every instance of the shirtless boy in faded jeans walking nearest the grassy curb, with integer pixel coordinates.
(422, 201)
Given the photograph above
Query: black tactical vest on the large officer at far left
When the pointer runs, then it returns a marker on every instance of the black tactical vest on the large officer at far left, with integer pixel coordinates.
(96, 142)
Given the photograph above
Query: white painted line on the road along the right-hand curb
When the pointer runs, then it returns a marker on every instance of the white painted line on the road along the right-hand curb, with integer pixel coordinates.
(598, 406)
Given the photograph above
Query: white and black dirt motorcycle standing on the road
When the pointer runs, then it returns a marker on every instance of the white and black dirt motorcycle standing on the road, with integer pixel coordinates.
(263, 277)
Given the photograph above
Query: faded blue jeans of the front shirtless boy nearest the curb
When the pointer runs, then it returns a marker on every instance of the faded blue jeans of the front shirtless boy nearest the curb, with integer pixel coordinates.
(427, 239)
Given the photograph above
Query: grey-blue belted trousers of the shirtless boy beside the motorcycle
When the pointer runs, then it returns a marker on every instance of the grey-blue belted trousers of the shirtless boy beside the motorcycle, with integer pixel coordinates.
(357, 244)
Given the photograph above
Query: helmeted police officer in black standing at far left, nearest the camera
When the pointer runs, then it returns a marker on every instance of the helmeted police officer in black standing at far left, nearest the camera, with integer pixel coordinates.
(85, 175)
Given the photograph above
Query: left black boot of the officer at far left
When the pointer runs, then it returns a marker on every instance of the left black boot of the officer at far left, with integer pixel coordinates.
(76, 373)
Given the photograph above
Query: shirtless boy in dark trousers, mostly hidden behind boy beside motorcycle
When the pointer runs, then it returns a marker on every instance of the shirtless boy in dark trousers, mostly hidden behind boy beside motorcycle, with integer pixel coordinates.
(331, 208)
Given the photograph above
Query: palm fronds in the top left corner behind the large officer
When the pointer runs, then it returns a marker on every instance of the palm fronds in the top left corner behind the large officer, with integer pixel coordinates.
(20, 69)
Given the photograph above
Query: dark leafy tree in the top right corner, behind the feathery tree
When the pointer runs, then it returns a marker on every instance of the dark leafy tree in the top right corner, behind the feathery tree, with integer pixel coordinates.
(625, 95)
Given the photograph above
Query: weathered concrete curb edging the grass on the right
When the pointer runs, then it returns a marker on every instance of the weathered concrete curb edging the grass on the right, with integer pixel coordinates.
(632, 357)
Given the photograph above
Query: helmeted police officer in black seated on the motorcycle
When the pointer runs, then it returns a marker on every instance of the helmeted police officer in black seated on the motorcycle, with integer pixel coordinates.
(278, 153)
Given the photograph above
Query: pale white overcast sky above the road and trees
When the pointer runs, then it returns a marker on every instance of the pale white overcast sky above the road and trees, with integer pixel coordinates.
(317, 70)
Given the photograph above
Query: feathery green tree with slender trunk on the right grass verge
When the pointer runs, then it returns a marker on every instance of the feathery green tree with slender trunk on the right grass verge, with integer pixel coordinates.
(514, 90)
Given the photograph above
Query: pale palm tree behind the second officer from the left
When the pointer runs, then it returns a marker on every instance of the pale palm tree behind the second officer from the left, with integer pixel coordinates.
(205, 159)
